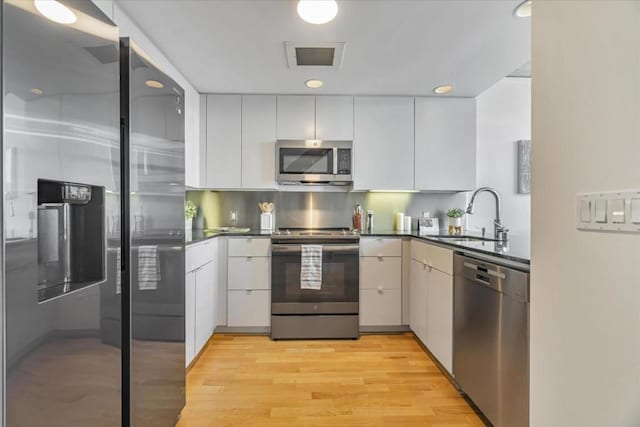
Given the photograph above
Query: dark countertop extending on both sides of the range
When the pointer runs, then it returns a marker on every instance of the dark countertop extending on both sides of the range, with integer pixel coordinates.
(518, 248)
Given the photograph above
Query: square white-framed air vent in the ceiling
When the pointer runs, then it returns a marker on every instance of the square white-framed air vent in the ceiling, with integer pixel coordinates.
(314, 55)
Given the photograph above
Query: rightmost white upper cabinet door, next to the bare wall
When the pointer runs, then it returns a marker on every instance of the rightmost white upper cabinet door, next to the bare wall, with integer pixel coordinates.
(445, 144)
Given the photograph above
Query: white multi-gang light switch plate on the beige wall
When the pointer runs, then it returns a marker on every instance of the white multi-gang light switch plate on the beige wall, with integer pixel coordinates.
(616, 211)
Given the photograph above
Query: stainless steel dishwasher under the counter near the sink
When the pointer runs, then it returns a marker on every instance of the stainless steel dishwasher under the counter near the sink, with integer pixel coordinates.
(491, 339)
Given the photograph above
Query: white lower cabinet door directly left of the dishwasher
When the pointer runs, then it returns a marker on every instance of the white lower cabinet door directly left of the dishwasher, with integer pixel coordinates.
(440, 317)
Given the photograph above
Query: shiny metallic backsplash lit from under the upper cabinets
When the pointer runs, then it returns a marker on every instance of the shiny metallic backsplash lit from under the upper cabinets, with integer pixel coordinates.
(319, 209)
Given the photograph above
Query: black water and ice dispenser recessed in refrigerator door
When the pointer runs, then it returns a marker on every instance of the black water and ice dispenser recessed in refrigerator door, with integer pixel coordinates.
(71, 237)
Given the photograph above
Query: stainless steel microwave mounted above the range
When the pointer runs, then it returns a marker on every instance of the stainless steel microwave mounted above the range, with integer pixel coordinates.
(314, 162)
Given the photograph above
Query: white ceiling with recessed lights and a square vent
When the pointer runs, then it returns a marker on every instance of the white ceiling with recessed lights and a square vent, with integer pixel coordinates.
(394, 47)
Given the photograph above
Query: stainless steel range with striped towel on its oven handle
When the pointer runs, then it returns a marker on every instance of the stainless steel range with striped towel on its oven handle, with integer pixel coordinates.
(330, 310)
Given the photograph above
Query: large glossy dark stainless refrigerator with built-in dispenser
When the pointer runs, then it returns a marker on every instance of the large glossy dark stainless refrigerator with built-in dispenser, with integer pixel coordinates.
(93, 242)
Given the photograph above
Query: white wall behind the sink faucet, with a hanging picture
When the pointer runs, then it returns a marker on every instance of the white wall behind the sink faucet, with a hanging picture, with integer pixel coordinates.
(503, 117)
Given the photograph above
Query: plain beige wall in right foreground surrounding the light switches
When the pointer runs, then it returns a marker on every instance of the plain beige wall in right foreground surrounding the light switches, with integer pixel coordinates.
(585, 286)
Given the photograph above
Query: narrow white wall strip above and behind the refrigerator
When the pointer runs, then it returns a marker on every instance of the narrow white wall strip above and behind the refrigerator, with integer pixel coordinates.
(128, 28)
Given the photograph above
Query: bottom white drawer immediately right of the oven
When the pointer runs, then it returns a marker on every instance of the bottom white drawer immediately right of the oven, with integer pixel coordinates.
(380, 307)
